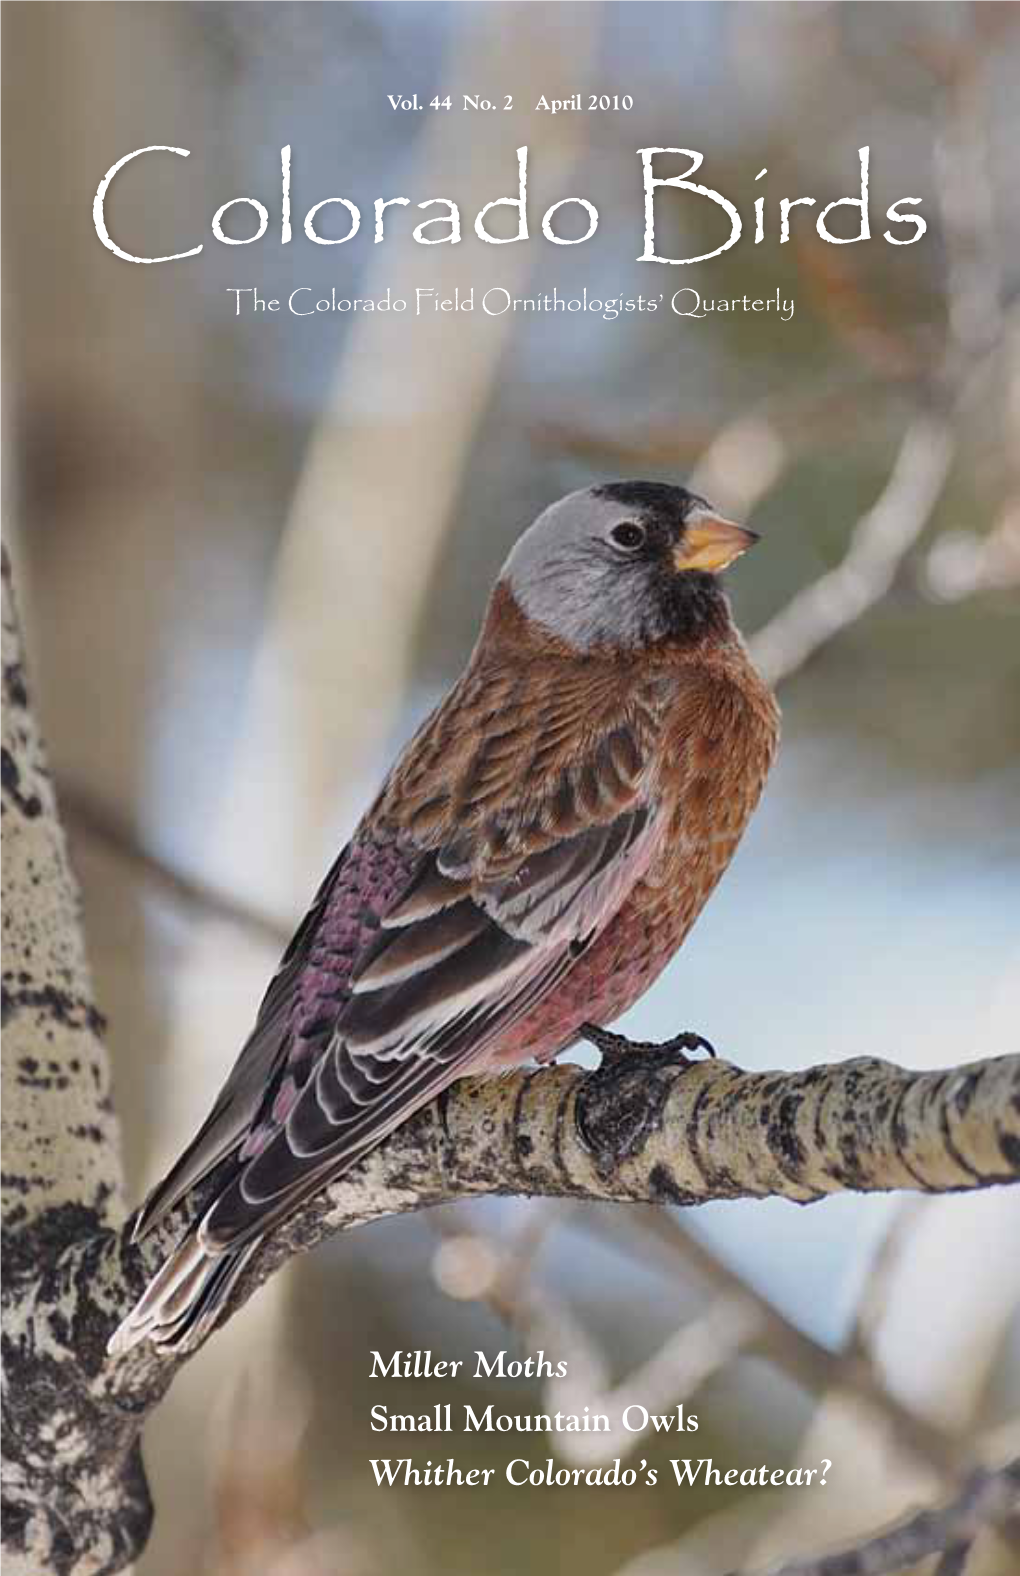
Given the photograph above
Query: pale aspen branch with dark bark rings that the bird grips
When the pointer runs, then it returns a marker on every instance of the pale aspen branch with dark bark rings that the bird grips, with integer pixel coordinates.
(639, 1131)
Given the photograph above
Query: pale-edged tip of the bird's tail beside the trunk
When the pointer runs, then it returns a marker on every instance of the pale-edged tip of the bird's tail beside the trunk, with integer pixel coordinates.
(182, 1304)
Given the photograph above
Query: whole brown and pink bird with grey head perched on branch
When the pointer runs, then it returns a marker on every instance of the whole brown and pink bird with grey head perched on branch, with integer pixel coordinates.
(532, 863)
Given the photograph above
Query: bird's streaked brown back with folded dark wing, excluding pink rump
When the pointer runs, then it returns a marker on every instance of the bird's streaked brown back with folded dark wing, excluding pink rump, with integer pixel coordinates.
(532, 809)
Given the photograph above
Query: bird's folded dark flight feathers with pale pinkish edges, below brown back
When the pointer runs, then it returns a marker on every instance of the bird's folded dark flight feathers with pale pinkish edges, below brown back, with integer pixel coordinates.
(453, 967)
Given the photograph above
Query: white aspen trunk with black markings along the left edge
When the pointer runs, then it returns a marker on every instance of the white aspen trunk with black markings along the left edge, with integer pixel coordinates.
(75, 1495)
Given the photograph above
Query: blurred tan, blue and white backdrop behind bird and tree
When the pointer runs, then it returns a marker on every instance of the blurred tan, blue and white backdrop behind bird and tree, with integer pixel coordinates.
(253, 552)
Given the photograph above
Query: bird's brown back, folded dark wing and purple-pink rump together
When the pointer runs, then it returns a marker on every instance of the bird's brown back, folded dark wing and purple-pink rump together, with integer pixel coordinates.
(474, 893)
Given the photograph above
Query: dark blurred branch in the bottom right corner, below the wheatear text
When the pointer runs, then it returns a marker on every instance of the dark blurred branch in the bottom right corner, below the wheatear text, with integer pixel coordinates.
(988, 1500)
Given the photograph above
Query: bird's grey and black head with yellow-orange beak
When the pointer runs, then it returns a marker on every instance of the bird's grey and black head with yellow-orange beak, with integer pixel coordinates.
(628, 567)
